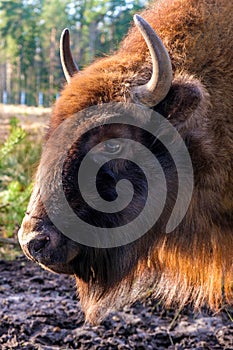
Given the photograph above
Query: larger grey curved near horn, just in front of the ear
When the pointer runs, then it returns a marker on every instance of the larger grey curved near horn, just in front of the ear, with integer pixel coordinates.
(158, 86)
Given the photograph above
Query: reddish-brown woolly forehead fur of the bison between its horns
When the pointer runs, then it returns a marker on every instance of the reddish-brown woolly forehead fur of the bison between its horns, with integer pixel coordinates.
(105, 81)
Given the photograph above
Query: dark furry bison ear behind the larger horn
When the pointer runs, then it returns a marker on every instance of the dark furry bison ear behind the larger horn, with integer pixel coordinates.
(185, 97)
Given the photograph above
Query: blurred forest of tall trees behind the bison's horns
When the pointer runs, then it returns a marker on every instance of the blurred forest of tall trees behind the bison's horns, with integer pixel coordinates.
(29, 40)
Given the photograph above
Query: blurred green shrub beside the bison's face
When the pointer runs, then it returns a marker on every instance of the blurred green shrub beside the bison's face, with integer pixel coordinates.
(18, 158)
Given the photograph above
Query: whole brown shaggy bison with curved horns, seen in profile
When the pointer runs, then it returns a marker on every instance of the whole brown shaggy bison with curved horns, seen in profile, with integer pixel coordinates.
(176, 61)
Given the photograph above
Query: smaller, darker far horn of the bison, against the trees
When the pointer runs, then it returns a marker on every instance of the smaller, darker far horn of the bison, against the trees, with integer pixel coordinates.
(68, 64)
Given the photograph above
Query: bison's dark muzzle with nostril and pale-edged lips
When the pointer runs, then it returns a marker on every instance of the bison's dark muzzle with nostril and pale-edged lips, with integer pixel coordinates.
(45, 245)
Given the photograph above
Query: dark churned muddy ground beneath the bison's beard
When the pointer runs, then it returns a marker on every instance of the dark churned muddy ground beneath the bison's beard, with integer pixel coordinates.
(40, 310)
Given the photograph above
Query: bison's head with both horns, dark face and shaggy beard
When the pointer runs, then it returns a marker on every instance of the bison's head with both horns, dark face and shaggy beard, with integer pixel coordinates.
(130, 96)
